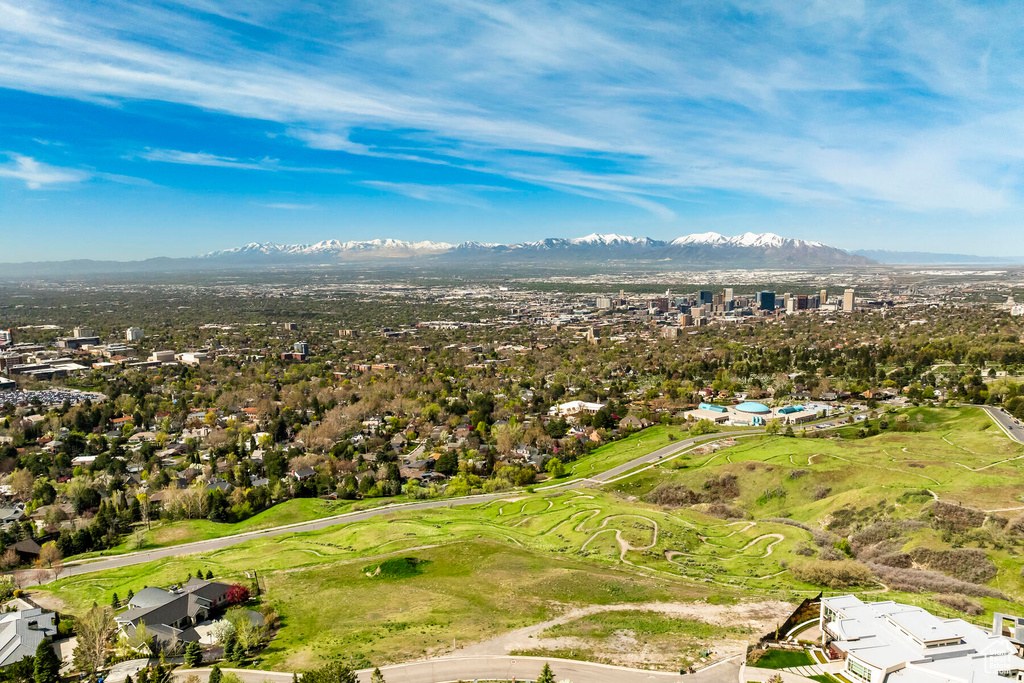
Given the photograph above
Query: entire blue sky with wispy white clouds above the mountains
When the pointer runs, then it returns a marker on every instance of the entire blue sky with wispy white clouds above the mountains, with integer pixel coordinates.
(140, 130)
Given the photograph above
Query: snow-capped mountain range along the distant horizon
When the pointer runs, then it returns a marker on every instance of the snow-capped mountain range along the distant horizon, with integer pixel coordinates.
(712, 249)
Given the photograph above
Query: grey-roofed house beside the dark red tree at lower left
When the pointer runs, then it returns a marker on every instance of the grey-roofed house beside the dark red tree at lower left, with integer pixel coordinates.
(172, 616)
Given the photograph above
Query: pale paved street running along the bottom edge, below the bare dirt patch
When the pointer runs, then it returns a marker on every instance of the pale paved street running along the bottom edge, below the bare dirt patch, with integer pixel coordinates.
(448, 670)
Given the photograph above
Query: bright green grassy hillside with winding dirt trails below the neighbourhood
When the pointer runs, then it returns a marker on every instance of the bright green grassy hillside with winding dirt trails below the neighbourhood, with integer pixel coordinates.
(482, 571)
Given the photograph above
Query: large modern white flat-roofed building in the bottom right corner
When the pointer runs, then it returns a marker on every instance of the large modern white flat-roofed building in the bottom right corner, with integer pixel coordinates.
(889, 643)
